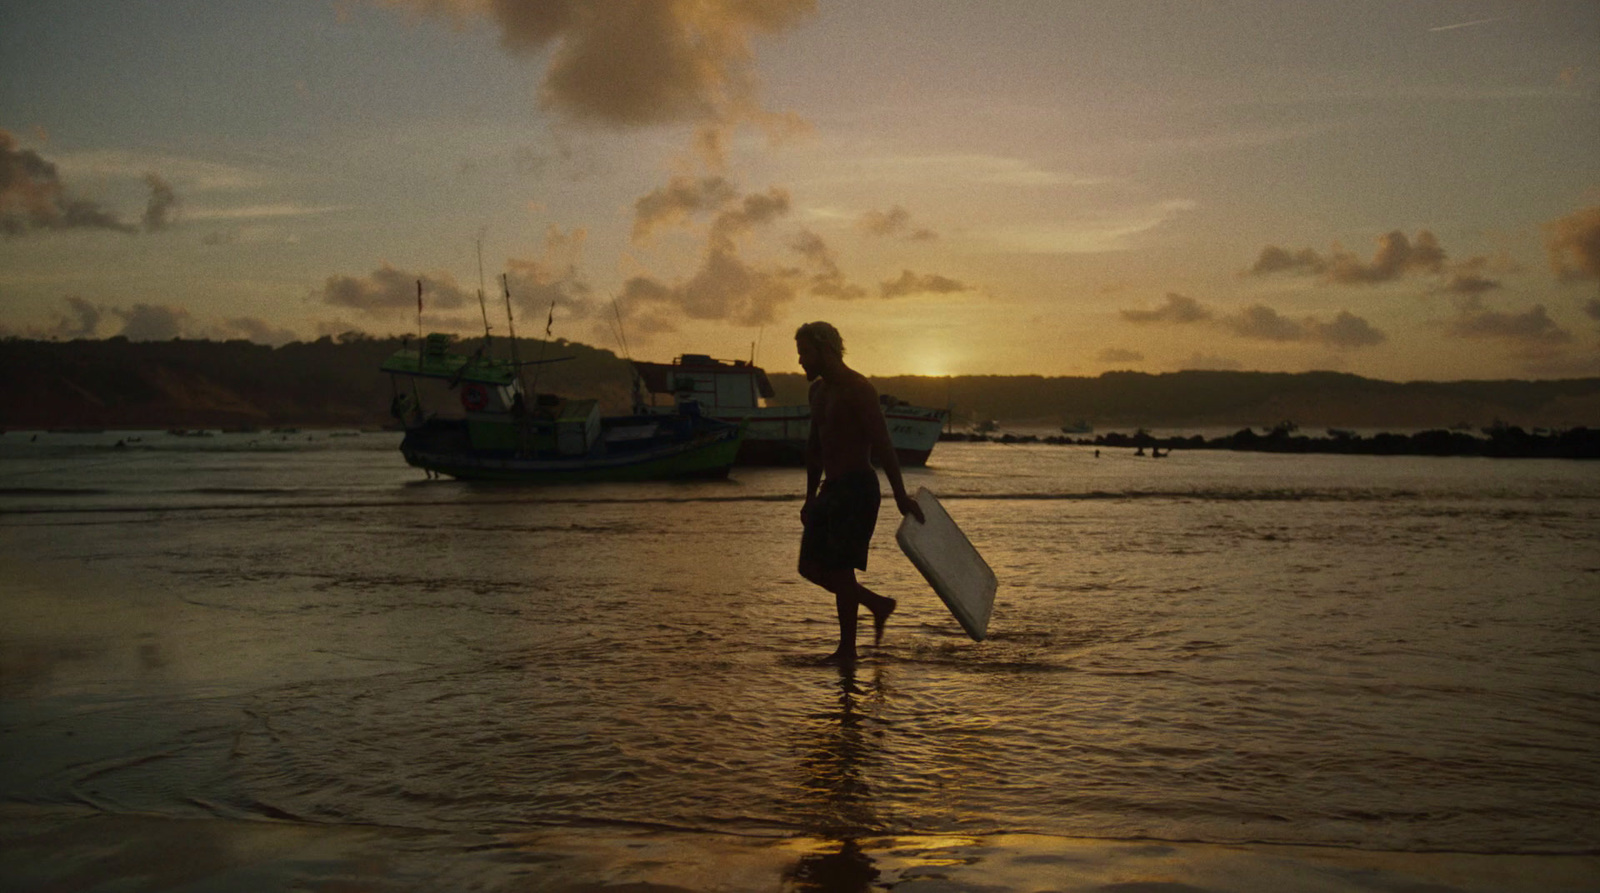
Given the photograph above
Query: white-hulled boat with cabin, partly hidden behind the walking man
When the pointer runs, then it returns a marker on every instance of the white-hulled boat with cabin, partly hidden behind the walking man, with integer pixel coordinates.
(735, 391)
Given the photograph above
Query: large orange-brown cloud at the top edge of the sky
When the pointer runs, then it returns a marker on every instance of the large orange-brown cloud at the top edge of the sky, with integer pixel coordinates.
(630, 63)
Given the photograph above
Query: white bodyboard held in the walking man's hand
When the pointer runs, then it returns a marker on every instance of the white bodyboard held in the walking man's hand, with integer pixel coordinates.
(951, 564)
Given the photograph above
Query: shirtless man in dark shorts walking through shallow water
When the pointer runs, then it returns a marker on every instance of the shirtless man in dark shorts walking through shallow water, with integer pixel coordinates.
(841, 489)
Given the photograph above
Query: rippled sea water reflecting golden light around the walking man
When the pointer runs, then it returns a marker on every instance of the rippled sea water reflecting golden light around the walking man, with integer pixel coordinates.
(1377, 654)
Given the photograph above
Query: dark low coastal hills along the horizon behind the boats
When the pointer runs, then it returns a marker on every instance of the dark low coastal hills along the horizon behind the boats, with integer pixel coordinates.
(335, 382)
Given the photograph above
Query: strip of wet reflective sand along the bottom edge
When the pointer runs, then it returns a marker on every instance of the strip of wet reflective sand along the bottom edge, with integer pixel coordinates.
(82, 851)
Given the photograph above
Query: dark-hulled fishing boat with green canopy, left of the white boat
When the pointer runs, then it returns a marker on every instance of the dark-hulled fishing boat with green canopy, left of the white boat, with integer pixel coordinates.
(500, 436)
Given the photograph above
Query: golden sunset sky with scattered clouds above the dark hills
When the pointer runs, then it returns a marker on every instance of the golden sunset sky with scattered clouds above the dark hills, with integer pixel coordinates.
(1398, 190)
